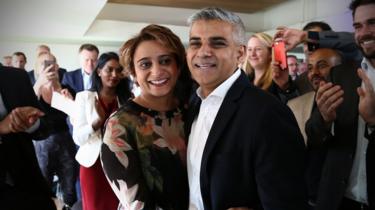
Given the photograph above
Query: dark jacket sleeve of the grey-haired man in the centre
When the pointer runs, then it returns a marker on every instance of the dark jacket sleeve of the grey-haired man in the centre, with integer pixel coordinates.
(280, 161)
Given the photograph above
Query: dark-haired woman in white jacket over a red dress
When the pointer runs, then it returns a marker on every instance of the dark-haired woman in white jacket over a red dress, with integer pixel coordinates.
(108, 92)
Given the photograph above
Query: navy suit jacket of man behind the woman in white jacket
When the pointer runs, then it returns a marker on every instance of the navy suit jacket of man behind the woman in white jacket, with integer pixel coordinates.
(74, 81)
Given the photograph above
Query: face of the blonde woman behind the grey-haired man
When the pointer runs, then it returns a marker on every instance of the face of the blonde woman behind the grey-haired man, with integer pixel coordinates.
(258, 54)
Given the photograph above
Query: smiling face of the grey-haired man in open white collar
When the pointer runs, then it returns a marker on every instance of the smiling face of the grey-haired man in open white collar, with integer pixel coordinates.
(212, 54)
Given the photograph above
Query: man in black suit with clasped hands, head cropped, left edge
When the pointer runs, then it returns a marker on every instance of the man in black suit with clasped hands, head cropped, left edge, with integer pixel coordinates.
(22, 185)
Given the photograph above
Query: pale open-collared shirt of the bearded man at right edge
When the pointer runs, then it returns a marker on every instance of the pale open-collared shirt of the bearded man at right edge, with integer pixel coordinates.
(357, 186)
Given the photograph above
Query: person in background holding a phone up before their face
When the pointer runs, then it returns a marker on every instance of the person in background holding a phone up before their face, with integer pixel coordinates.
(56, 153)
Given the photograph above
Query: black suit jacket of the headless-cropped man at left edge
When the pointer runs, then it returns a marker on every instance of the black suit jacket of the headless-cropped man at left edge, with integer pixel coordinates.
(17, 155)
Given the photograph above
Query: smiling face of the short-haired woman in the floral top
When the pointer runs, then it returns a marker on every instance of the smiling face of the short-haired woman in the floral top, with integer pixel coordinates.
(156, 70)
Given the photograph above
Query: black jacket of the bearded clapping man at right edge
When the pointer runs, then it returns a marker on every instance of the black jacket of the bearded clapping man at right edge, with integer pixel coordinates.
(341, 147)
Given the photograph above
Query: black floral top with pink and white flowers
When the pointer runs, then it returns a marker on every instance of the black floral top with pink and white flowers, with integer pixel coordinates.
(143, 157)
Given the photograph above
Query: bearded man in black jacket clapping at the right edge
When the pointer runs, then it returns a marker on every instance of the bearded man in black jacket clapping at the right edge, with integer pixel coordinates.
(344, 123)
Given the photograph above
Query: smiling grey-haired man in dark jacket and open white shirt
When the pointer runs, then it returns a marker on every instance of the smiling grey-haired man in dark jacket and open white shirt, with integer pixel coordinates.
(245, 149)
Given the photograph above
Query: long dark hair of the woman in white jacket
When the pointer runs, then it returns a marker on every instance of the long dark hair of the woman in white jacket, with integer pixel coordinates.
(123, 89)
